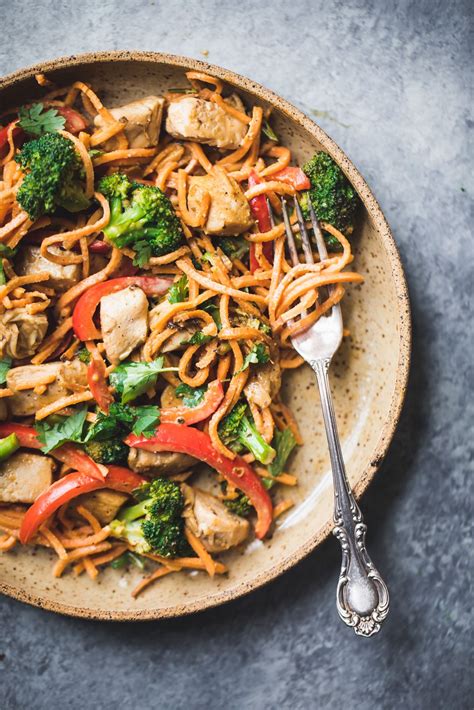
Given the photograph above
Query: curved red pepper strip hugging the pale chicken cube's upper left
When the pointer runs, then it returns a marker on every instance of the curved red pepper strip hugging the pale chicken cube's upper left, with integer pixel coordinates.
(82, 317)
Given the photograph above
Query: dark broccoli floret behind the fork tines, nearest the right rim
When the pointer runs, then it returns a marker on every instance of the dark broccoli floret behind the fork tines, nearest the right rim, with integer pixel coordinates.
(334, 199)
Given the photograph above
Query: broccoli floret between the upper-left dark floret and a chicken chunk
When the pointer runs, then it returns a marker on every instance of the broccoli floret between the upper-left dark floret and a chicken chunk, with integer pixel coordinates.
(141, 216)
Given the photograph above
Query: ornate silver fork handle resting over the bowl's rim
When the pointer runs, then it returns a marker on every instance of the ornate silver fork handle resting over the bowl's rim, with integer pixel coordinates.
(362, 595)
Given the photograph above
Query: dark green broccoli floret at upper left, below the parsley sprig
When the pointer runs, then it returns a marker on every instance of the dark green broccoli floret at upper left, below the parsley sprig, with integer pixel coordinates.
(54, 176)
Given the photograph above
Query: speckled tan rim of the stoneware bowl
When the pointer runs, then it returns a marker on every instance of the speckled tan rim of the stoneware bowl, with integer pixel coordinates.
(404, 320)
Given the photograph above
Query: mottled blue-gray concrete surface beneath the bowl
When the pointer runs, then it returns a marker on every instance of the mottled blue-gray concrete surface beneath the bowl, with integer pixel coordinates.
(392, 83)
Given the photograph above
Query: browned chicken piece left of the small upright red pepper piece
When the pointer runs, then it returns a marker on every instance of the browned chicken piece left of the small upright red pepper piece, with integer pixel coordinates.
(60, 379)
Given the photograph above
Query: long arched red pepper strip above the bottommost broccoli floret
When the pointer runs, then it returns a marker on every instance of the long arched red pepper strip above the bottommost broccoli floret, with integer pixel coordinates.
(187, 440)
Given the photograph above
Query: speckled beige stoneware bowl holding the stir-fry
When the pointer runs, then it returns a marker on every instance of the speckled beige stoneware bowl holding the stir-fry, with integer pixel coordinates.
(369, 374)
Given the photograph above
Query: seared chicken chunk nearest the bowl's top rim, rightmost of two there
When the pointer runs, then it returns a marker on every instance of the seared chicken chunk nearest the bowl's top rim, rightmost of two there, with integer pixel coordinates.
(205, 122)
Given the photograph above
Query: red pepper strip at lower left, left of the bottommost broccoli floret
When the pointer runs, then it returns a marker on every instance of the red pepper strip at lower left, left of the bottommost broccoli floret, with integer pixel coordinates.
(69, 487)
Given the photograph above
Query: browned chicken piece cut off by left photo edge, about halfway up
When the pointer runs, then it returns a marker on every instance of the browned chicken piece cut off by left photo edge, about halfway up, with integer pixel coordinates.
(21, 333)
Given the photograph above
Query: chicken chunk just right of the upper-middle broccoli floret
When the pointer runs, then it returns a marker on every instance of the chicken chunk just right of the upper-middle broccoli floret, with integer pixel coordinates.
(229, 213)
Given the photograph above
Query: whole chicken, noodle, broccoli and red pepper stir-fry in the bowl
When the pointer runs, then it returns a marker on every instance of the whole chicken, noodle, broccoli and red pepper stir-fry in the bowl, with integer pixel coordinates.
(147, 305)
